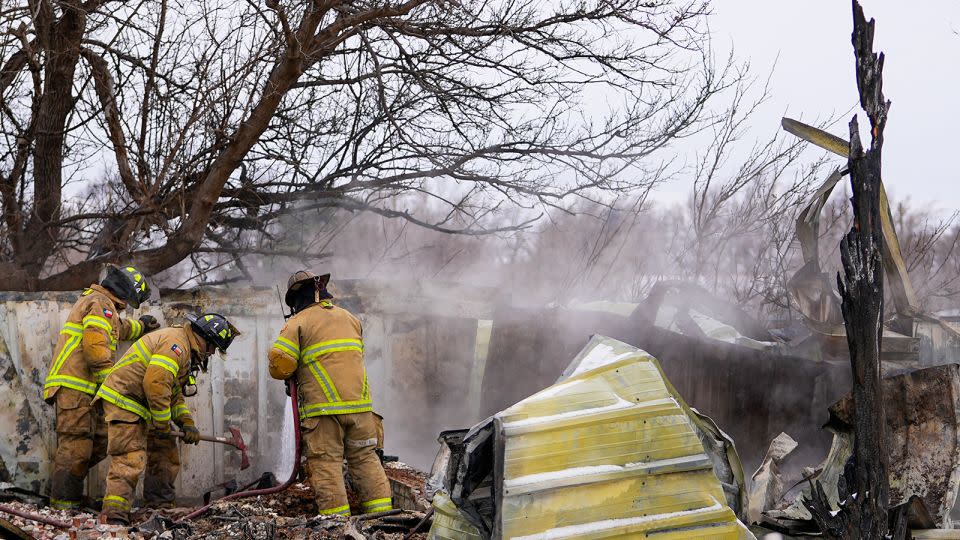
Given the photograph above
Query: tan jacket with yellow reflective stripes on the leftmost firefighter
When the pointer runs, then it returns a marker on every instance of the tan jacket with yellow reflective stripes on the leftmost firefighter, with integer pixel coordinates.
(88, 341)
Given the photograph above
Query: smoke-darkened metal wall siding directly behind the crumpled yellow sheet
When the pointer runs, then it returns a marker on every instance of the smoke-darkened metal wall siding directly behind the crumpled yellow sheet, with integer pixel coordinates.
(528, 349)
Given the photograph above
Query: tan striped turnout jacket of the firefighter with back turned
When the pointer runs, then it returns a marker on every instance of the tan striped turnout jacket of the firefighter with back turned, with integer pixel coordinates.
(323, 346)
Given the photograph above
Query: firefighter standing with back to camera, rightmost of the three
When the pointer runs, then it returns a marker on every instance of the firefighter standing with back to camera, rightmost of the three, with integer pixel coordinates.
(322, 346)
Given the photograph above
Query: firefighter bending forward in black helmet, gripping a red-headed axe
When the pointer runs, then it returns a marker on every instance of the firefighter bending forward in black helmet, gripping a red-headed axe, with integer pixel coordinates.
(141, 395)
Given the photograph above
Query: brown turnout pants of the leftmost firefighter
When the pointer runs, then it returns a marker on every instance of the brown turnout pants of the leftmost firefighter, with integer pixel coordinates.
(81, 444)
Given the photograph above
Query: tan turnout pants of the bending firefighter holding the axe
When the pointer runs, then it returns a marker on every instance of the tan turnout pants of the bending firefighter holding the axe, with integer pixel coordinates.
(134, 451)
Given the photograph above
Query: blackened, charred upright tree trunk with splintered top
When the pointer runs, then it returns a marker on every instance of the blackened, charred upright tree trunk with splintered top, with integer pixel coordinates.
(864, 490)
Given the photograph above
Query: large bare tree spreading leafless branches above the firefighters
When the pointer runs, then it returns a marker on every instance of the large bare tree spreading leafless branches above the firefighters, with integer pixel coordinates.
(158, 130)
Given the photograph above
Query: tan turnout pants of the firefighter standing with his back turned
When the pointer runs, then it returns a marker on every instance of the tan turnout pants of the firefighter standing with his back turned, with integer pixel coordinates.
(327, 441)
